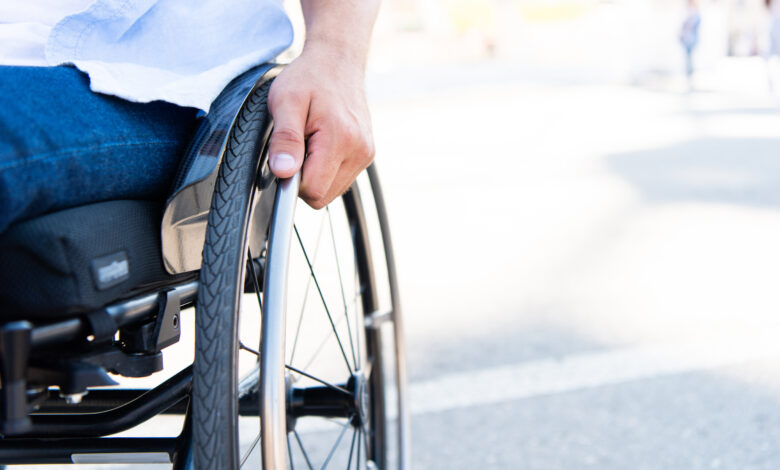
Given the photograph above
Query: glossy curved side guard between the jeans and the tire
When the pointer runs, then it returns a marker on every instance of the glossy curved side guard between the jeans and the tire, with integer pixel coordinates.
(186, 210)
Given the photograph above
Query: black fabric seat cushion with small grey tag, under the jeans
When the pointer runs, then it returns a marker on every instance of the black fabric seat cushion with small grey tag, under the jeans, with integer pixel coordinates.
(80, 259)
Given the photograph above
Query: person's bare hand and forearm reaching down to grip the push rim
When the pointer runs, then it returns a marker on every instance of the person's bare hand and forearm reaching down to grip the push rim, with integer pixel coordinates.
(318, 102)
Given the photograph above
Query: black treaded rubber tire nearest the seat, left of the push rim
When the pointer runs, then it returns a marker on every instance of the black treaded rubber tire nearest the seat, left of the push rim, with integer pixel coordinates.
(215, 377)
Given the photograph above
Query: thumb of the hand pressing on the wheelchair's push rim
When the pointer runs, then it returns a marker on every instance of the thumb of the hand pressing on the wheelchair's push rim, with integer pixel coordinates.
(287, 145)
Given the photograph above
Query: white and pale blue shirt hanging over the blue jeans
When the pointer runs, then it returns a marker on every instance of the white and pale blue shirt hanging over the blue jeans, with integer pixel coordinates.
(180, 51)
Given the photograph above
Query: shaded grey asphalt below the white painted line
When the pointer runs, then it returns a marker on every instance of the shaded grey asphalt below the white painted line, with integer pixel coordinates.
(700, 420)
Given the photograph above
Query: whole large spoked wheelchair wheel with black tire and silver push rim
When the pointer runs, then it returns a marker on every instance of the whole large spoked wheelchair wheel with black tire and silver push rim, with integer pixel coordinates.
(327, 378)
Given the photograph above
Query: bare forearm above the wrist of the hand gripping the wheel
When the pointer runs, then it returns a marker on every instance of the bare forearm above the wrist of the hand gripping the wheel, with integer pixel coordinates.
(340, 28)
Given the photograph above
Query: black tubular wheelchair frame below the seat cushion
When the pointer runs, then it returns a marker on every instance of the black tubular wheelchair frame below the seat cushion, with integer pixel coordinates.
(45, 435)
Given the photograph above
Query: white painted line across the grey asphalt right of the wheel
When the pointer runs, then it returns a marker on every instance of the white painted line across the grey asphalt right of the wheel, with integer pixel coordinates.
(569, 373)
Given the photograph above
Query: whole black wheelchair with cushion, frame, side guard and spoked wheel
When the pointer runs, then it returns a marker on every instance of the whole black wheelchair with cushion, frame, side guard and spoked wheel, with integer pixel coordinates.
(298, 350)
